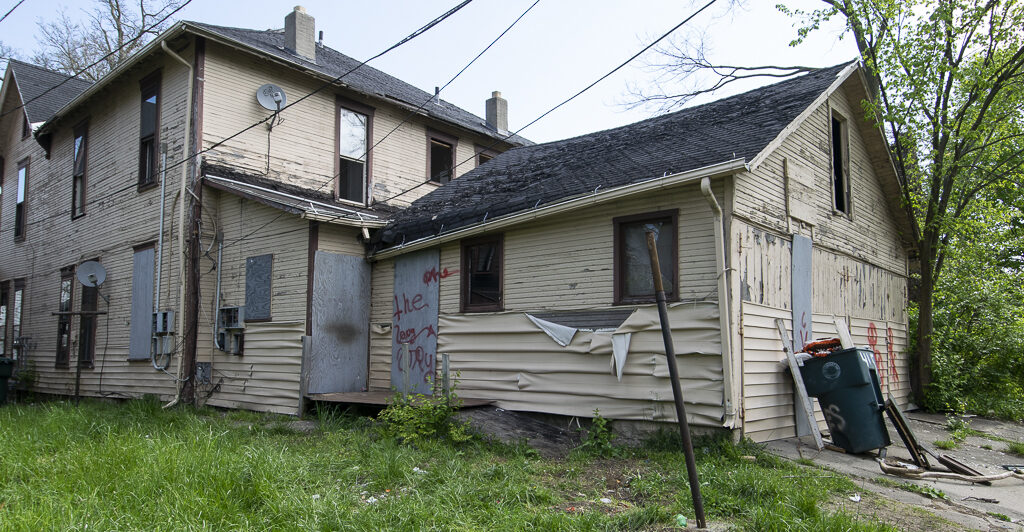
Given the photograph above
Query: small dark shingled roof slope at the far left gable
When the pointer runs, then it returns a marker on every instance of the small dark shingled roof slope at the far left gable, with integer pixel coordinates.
(33, 82)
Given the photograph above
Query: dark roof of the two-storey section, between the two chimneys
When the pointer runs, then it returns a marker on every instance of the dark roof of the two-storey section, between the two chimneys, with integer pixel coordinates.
(366, 79)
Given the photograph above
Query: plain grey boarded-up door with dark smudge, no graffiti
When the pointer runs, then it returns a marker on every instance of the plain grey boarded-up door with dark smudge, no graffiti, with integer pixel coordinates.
(339, 353)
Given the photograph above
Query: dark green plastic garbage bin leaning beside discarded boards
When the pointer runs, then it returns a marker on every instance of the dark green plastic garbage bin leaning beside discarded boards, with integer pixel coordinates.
(846, 384)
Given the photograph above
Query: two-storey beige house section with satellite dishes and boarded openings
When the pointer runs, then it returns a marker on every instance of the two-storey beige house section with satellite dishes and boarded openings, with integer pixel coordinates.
(224, 244)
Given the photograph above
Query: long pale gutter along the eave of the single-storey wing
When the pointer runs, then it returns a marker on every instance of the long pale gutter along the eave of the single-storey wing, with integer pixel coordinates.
(713, 171)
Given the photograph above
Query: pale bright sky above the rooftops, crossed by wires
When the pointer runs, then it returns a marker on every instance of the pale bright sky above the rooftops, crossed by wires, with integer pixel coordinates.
(559, 49)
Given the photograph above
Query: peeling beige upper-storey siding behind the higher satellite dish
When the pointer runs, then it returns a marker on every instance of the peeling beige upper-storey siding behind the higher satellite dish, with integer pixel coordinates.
(302, 148)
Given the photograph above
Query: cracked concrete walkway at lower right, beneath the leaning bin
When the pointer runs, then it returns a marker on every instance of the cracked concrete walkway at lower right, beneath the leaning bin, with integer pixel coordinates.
(970, 506)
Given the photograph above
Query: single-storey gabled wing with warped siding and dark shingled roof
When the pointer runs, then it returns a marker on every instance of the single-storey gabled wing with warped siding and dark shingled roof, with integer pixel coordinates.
(532, 273)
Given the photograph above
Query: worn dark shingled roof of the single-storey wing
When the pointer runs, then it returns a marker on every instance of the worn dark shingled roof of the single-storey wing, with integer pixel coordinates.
(522, 179)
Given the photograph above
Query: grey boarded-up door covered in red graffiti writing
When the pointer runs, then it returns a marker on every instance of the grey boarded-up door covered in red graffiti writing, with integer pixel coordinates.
(415, 321)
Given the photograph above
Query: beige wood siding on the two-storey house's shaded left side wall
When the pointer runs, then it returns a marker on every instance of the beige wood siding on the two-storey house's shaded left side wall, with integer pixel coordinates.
(118, 217)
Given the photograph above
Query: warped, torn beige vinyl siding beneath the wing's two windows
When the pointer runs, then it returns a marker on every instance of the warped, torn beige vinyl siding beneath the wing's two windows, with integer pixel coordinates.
(506, 359)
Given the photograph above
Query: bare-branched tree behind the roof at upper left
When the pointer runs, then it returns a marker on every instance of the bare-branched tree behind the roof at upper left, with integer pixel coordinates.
(109, 35)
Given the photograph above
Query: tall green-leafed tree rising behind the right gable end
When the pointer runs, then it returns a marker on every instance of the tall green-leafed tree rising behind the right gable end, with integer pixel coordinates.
(949, 88)
